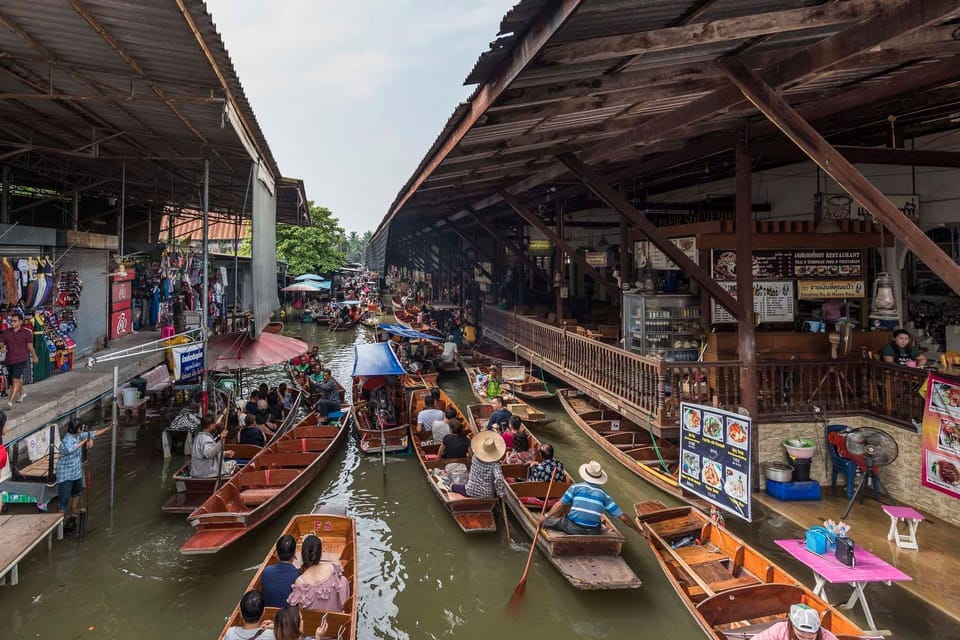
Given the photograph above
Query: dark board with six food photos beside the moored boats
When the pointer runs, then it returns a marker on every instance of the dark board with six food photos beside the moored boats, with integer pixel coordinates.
(715, 457)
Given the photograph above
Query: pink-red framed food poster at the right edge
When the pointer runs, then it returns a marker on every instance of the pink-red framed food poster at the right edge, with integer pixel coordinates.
(940, 439)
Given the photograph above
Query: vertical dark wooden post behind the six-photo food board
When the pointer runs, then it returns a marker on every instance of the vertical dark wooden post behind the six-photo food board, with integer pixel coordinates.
(745, 323)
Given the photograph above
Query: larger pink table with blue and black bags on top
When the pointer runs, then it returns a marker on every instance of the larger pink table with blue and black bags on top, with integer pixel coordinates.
(869, 568)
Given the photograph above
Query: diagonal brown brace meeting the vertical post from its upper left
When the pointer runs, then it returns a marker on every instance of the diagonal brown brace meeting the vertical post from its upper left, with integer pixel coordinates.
(618, 203)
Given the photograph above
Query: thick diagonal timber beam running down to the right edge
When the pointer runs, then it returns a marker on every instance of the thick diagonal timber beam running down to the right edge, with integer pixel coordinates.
(785, 117)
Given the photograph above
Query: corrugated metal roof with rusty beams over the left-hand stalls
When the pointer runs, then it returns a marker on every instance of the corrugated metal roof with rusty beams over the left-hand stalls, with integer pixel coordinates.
(87, 86)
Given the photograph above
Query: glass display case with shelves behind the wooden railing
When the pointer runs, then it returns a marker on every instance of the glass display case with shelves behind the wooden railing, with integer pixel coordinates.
(666, 326)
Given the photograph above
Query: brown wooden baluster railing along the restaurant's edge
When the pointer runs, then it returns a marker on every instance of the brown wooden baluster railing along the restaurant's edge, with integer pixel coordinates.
(653, 388)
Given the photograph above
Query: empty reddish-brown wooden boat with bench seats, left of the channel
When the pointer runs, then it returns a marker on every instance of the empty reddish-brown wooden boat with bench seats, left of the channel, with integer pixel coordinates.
(266, 484)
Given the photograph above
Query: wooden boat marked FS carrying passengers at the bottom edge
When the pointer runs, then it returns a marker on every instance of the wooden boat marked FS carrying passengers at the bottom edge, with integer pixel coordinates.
(339, 537)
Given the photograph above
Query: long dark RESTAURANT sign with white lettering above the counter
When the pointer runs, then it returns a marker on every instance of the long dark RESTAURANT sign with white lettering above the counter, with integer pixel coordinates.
(792, 263)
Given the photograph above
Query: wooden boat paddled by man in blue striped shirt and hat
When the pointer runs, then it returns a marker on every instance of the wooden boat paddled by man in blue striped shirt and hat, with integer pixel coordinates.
(589, 562)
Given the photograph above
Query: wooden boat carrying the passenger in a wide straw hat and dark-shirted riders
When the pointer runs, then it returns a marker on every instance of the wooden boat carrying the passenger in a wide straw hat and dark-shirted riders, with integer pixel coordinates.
(472, 515)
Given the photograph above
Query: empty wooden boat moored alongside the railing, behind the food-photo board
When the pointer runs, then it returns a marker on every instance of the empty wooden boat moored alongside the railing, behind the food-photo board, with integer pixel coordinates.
(630, 443)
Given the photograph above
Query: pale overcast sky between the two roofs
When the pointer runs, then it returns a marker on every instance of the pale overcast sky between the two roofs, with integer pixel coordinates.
(350, 95)
